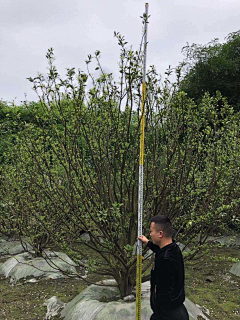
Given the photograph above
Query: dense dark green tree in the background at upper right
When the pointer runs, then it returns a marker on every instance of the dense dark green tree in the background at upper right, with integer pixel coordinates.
(213, 67)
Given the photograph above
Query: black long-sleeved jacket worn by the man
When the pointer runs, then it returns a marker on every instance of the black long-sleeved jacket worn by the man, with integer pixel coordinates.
(167, 278)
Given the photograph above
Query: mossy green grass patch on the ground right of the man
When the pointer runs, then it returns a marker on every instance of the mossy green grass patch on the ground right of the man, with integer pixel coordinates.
(209, 283)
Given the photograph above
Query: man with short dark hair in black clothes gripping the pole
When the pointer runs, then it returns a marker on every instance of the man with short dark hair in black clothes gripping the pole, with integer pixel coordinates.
(167, 276)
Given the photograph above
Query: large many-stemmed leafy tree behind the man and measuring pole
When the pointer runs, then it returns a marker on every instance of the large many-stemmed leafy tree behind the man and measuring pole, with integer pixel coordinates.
(77, 169)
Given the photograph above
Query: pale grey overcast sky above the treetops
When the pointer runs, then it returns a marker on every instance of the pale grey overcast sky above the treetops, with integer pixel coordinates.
(76, 28)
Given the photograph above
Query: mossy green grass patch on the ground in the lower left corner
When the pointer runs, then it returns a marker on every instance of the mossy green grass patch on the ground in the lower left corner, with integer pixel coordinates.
(25, 301)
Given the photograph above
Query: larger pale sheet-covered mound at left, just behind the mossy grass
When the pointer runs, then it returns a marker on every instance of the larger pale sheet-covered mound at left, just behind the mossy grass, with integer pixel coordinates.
(24, 265)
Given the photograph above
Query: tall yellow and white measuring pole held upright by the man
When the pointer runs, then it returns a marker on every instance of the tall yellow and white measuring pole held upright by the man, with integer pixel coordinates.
(140, 188)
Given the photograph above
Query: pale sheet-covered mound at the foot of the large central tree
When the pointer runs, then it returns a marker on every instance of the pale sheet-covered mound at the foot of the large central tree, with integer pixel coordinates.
(92, 304)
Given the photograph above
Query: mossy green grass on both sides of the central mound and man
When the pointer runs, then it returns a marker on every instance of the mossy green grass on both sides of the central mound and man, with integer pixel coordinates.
(208, 284)
